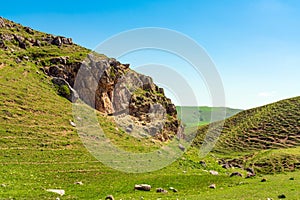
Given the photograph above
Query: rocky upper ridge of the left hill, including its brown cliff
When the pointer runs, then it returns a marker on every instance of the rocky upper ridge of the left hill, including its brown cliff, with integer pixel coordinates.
(108, 85)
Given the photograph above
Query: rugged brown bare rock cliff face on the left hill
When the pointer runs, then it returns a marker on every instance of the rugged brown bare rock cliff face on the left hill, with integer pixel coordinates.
(114, 89)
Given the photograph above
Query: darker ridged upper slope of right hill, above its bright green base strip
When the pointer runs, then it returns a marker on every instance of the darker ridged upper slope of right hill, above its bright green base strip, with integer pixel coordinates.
(276, 125)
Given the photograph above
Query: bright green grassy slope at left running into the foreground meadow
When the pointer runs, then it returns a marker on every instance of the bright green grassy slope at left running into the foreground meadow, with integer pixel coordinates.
(41, 150)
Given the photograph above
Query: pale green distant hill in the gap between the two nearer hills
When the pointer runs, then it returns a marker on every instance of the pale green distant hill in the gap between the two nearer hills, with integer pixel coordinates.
(204, 113)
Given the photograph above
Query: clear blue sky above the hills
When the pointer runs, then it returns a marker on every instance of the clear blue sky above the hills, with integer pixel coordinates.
(253, 43)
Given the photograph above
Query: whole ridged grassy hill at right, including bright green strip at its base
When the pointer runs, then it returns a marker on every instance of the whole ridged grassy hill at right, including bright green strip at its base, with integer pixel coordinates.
(266, 138)
